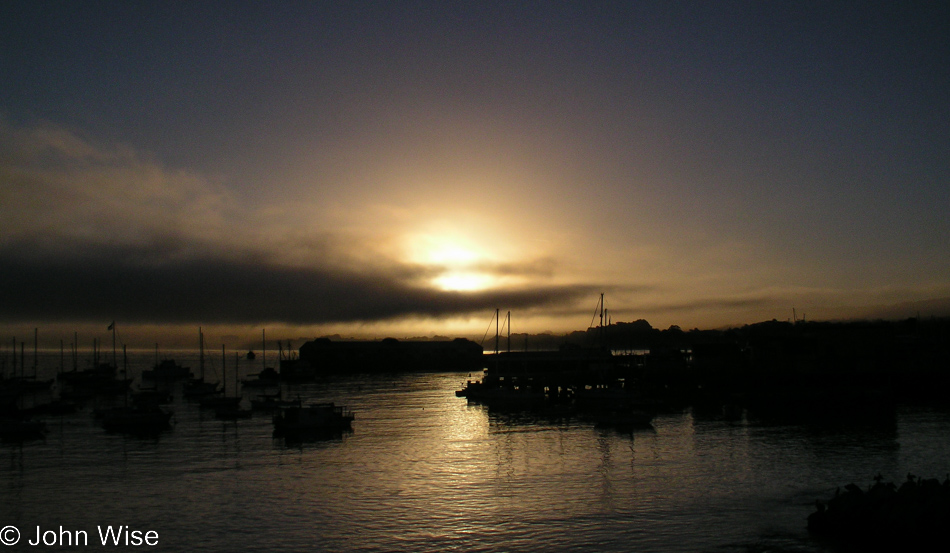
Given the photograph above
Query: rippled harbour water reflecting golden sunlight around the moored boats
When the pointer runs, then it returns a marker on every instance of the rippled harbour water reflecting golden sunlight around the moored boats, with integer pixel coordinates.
(423, 470)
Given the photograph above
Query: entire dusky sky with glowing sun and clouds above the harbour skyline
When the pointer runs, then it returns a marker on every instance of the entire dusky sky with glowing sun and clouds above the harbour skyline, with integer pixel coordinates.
(405, 168)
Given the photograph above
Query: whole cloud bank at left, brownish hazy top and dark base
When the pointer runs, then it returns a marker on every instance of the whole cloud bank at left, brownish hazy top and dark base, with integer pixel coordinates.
(98, 232)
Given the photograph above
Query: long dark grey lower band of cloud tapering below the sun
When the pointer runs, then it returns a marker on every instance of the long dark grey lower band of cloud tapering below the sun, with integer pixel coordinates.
(132, 284)
